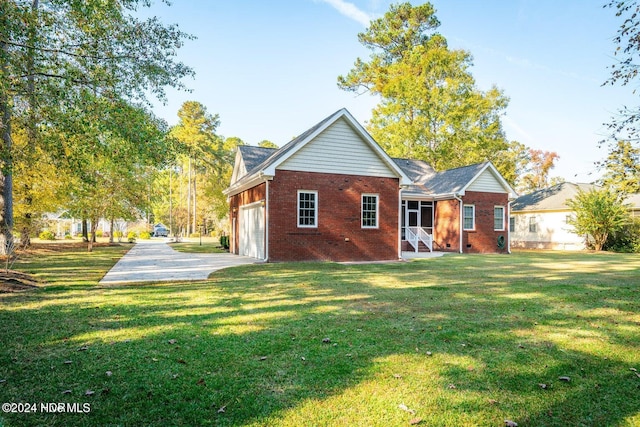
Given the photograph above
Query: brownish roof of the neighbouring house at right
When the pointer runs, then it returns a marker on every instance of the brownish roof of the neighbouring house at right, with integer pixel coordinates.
(548, 199)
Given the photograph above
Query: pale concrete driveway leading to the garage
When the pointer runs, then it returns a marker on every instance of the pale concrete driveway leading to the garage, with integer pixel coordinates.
(154, 261)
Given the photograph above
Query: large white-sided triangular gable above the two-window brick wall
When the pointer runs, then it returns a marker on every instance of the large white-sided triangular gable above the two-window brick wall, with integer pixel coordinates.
(338, 149)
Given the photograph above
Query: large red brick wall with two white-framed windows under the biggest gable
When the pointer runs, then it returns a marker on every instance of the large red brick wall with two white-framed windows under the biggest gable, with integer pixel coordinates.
(339, 236)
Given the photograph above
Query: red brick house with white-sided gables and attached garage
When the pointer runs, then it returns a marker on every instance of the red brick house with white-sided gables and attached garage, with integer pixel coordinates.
(333, 193)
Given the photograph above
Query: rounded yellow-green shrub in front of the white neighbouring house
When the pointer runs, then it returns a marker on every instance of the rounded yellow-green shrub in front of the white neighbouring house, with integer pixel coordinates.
(598, 214)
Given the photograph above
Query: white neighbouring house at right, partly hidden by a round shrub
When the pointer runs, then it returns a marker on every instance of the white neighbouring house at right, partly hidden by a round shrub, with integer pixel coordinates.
(539, 220)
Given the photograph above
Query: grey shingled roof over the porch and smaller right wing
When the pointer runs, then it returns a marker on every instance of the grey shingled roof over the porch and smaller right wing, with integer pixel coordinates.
(428, 182)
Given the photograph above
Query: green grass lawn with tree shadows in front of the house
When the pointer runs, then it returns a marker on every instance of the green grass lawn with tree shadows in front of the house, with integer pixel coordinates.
(461, 340)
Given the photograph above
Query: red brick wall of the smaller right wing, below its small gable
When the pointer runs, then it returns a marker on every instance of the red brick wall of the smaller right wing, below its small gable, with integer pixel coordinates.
(484, 239)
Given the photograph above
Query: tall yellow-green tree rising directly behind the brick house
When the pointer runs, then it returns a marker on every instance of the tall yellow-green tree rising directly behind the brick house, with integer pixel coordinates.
(430, 107)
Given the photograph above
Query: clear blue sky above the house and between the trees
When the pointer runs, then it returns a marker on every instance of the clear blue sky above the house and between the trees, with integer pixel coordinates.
(269, 68)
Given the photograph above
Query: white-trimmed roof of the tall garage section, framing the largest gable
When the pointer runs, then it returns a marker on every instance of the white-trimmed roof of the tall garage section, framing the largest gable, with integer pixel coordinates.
(267, 167)
